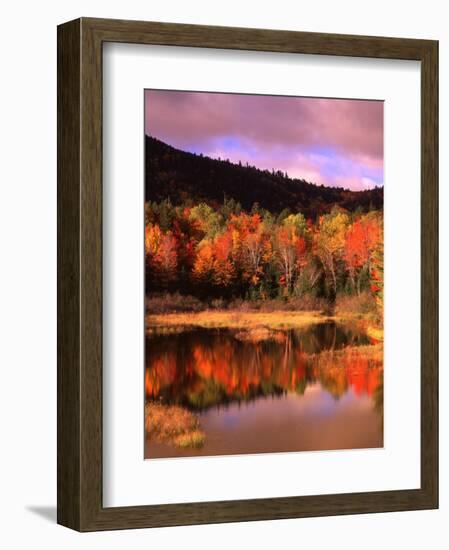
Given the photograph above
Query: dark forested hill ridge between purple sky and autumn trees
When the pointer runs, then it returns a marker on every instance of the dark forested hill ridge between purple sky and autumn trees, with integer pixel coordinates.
(184, 176)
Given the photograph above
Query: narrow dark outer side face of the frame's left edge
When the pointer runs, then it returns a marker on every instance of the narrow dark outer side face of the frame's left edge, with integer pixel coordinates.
(69, 407)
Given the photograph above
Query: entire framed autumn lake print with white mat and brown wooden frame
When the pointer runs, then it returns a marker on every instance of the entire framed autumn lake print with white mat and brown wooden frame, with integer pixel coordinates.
(247, 274)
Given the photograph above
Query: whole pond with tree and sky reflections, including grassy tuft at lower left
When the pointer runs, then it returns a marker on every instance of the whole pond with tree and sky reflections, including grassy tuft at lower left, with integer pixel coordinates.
(318, 388)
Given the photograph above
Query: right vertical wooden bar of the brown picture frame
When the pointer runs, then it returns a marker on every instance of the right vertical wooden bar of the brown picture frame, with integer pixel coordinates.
(429, 271)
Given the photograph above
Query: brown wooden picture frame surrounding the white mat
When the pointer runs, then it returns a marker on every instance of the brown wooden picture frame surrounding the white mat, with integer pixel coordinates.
(80, 273)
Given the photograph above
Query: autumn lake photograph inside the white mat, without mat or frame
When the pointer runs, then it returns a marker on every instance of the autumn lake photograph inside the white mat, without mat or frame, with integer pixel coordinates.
(263, 274)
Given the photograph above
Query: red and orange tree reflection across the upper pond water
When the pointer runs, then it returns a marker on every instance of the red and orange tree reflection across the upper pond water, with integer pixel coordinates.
(203, 367)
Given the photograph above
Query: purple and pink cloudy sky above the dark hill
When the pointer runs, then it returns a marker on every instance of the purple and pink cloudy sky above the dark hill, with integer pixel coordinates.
(333, 142)
